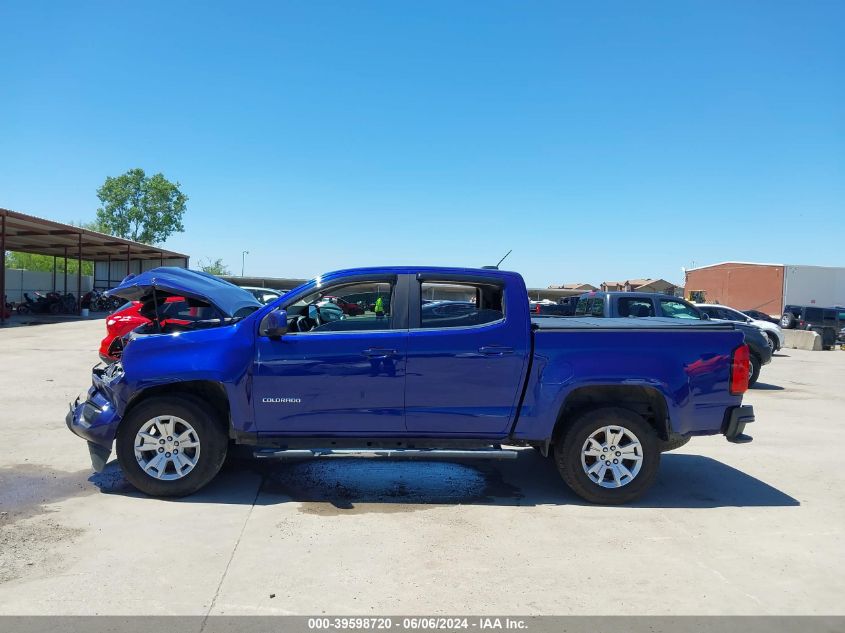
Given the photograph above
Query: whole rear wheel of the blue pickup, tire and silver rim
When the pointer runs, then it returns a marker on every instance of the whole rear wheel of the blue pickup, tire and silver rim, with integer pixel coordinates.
(609, 455)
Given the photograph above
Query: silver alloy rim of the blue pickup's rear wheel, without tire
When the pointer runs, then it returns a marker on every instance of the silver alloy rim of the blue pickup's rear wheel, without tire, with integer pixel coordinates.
(612, 456)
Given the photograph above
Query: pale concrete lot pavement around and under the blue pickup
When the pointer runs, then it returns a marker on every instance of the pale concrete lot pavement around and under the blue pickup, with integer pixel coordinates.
(753, 529)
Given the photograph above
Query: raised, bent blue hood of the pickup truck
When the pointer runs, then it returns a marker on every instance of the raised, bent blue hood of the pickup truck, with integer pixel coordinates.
(167, 281)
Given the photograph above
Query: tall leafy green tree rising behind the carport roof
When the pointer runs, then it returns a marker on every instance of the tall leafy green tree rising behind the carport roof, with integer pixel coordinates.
(140, 208)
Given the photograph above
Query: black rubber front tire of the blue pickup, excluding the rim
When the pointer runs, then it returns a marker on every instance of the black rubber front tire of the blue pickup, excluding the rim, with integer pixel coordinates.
(209, 430)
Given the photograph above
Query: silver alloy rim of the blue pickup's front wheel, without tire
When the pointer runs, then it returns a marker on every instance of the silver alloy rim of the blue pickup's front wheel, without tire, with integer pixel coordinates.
(167, 447)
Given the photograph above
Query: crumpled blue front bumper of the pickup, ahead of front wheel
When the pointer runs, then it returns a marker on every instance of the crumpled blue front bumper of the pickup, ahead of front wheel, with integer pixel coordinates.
(95, 420)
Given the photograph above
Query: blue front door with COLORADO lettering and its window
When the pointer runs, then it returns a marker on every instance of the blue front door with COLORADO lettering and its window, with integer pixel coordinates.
(340, 369)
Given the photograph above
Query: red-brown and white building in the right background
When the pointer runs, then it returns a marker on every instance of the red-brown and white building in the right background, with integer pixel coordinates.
(767, 287)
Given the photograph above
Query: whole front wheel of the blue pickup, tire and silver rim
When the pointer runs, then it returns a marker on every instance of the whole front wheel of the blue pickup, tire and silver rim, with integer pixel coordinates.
(171, 446)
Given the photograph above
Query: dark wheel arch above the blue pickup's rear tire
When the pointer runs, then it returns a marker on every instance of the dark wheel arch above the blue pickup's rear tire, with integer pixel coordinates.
(643, 400)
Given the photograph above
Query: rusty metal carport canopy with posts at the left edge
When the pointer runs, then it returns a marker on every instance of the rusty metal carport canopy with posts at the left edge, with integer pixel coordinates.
(29, 234)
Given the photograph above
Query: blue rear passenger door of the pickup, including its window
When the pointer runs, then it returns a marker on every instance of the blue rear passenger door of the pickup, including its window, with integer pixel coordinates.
(467, 354)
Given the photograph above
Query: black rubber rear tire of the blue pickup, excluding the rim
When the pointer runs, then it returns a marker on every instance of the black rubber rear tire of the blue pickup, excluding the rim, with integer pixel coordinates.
(568, 455)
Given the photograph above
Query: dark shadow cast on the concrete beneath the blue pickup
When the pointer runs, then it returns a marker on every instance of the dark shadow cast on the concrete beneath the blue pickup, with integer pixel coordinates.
(354, 486)
